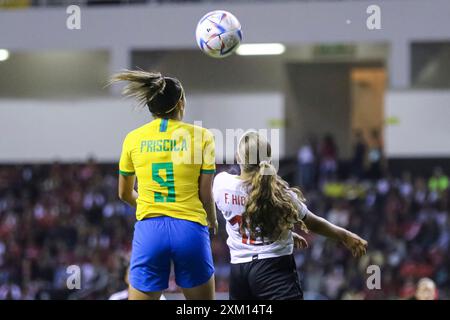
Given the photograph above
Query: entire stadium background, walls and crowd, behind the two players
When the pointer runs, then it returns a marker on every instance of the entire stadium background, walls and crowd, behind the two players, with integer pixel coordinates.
(61, 131)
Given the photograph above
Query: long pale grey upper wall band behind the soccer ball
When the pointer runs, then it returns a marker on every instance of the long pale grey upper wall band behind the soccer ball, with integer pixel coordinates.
(172, 26)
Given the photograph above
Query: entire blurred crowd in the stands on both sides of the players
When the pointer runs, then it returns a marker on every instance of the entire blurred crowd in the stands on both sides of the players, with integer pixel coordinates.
(55, 216)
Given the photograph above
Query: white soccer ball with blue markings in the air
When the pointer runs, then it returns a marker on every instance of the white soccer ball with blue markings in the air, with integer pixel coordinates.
(218, 33)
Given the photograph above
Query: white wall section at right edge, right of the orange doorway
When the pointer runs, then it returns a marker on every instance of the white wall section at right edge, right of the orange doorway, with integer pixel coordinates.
(418, 123)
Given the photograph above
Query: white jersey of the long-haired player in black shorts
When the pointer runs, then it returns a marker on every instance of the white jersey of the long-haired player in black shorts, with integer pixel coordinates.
(230, 197)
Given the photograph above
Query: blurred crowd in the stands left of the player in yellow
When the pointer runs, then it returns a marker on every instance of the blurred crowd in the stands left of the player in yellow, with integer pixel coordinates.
(52, 217)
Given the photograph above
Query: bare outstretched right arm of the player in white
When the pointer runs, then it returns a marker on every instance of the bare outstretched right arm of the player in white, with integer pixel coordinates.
(353, 242)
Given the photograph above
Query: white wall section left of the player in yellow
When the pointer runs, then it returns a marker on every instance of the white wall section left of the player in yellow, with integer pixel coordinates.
(42, 131)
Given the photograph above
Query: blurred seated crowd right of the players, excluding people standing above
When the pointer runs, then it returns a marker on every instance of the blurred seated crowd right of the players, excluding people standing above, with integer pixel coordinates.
(406, 224)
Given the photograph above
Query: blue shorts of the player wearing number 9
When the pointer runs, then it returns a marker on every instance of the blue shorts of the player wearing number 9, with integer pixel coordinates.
(161, 240)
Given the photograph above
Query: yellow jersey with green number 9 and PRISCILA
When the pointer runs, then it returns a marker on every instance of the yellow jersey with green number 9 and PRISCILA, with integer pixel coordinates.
(167, 157)
